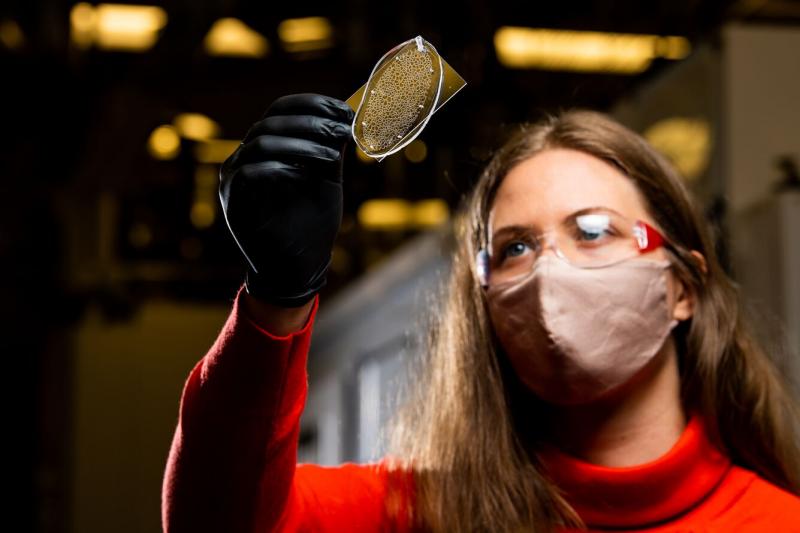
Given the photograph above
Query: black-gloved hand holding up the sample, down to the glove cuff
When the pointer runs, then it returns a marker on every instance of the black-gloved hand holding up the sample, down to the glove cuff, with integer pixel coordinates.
(281, 193)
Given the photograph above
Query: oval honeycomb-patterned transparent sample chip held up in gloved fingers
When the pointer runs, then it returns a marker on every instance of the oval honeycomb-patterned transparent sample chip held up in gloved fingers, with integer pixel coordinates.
(406, 87)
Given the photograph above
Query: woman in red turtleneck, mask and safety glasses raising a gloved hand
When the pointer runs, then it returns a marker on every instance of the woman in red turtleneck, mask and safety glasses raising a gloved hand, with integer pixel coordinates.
(589, 367)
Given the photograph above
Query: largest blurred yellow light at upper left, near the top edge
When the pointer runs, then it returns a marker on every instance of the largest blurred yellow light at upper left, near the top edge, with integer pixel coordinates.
(132, 28)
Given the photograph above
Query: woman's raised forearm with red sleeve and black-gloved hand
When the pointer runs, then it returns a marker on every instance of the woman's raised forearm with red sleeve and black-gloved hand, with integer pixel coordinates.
(233, 457)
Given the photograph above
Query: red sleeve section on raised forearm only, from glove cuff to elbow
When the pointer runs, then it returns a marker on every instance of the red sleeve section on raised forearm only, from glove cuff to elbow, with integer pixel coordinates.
(232, 460)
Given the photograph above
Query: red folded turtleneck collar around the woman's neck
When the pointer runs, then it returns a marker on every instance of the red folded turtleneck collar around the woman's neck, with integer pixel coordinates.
(644, 494)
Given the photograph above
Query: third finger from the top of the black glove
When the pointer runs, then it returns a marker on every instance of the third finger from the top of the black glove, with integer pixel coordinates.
(288, 149)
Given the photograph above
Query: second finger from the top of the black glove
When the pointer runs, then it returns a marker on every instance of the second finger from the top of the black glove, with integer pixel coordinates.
(326, 131)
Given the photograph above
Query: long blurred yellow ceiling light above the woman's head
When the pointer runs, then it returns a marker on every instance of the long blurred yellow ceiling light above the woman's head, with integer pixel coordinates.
(584, 51)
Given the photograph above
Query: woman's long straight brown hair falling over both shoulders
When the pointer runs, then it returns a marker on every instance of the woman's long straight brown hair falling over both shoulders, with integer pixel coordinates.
(473, 464)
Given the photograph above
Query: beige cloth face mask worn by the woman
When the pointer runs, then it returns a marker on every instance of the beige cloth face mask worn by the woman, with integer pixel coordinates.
(575, 334)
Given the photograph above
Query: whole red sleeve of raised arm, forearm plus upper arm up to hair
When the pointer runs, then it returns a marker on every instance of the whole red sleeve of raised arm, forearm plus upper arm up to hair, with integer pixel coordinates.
(232, 465)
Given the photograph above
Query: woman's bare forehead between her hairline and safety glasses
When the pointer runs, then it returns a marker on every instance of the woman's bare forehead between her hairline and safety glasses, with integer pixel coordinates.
(555, 183)
